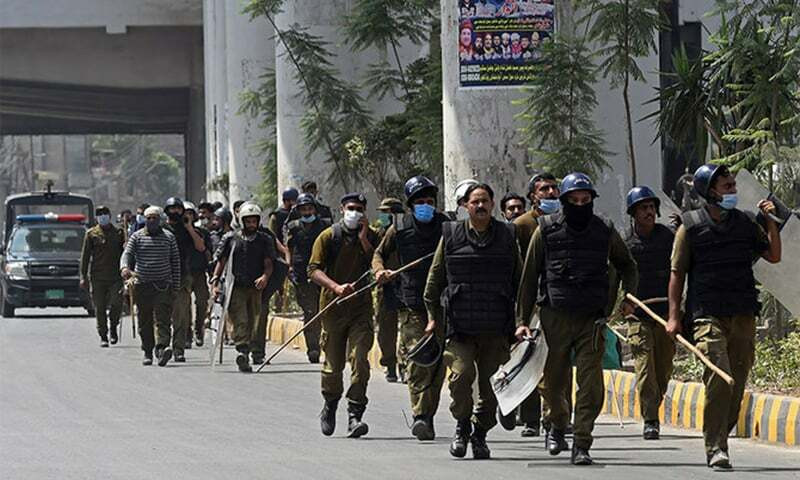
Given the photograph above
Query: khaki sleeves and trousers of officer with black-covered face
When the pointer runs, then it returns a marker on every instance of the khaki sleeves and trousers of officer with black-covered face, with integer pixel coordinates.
(568, 332)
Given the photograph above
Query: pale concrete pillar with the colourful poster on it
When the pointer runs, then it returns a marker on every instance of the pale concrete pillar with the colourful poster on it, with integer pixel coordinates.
(480, 136)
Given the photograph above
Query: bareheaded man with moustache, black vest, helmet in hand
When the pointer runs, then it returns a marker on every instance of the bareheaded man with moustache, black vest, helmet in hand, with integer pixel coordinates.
(474, 276)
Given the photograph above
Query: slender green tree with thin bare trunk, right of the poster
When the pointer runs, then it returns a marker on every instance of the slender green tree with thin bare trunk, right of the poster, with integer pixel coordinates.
(625, 30)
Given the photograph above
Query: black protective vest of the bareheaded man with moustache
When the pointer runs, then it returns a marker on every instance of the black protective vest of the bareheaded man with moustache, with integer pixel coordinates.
(479, 297)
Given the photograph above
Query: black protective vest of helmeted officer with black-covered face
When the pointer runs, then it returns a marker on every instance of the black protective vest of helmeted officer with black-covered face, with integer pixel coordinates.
(576, 264)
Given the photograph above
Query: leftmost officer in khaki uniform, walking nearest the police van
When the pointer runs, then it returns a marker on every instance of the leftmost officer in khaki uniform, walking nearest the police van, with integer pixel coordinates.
(102, 248)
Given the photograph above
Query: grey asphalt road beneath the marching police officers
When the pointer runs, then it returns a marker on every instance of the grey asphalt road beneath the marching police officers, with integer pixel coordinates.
(69, 409)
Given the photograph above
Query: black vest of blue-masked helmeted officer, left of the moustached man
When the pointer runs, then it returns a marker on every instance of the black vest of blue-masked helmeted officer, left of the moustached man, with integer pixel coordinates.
(415, 241)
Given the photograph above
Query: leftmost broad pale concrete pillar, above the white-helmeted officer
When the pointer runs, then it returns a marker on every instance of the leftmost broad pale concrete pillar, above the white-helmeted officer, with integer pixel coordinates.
(250, 50)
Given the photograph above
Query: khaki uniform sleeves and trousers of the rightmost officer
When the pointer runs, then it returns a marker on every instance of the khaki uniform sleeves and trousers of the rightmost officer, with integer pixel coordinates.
(729, 342)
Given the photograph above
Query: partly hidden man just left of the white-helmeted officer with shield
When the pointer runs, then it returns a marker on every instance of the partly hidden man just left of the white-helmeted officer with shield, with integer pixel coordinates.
(198, 268)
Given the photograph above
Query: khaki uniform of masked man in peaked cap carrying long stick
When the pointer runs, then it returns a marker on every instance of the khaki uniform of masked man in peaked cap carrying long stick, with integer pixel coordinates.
(347, 332)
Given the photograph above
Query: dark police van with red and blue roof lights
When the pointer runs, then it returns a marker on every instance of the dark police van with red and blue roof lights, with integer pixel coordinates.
(40, 251)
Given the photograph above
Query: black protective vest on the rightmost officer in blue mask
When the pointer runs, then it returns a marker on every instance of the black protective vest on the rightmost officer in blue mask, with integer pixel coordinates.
(721, 281)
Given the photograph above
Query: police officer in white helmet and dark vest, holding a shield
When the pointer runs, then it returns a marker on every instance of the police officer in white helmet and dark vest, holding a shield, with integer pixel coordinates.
(252, 266)
